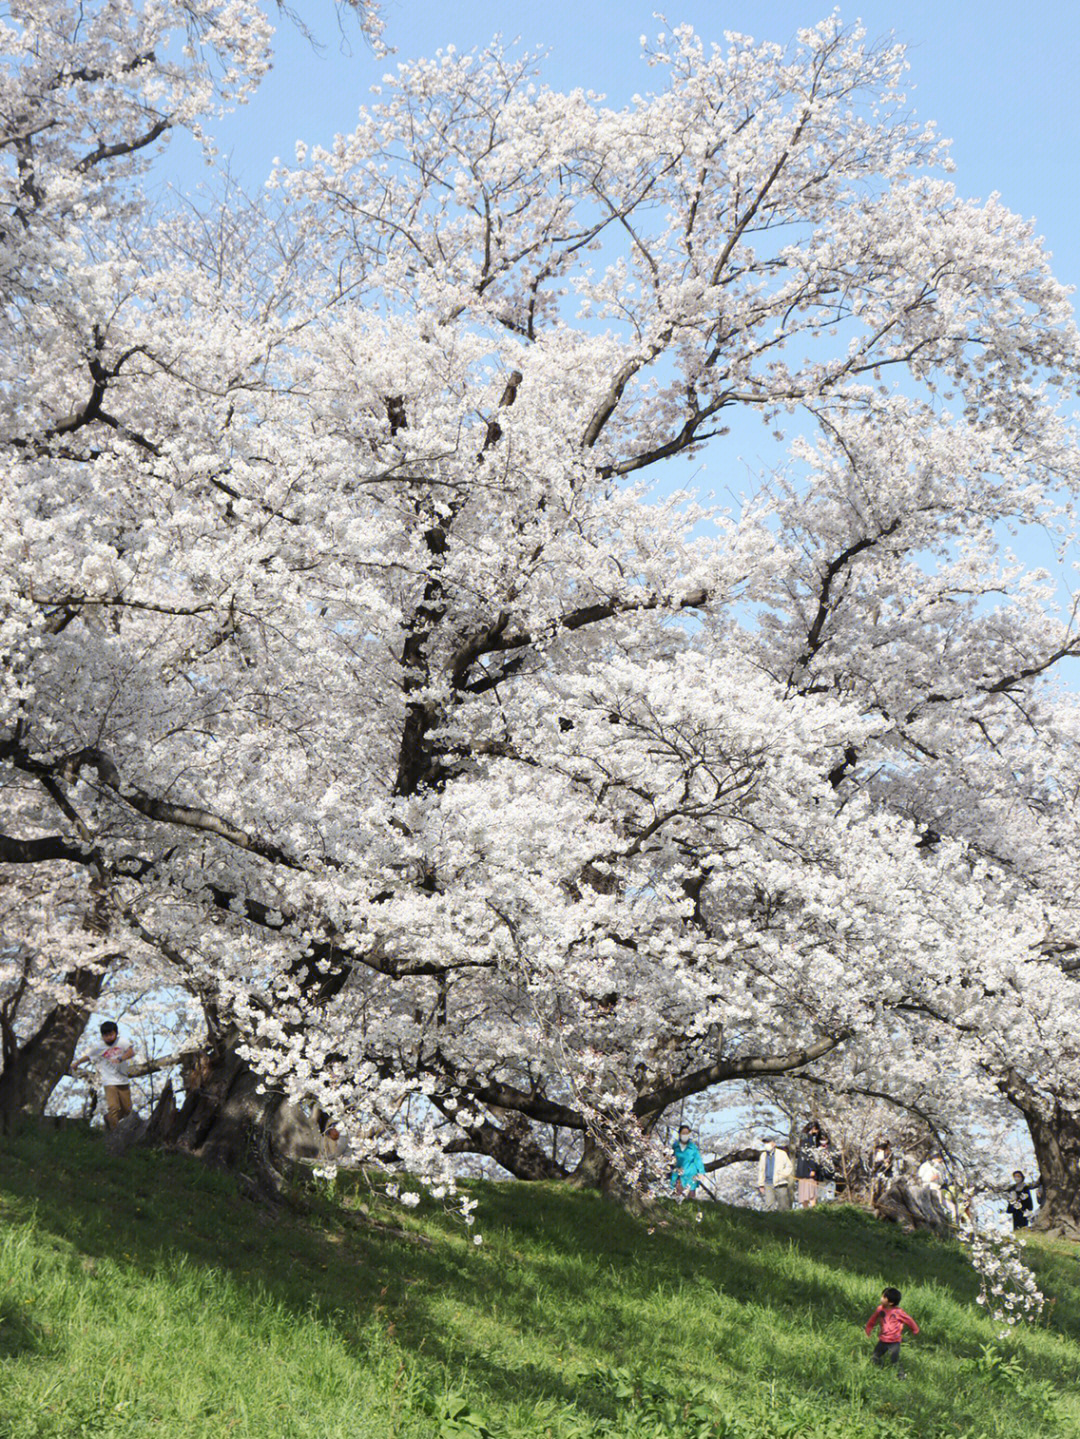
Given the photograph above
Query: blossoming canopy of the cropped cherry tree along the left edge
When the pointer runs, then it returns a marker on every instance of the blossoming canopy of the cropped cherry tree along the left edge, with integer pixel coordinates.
(88, 97)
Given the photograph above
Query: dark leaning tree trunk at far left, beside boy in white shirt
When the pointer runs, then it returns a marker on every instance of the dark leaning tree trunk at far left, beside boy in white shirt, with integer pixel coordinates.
(34, 1067)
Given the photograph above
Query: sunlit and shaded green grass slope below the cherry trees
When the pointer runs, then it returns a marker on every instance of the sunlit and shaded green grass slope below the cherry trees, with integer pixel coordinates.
(143, 1296)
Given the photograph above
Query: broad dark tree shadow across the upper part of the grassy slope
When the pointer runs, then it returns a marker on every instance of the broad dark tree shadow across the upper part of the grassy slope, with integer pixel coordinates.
(564, 1283)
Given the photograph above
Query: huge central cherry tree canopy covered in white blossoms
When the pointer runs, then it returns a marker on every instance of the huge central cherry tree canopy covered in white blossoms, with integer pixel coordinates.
(366, 658)
